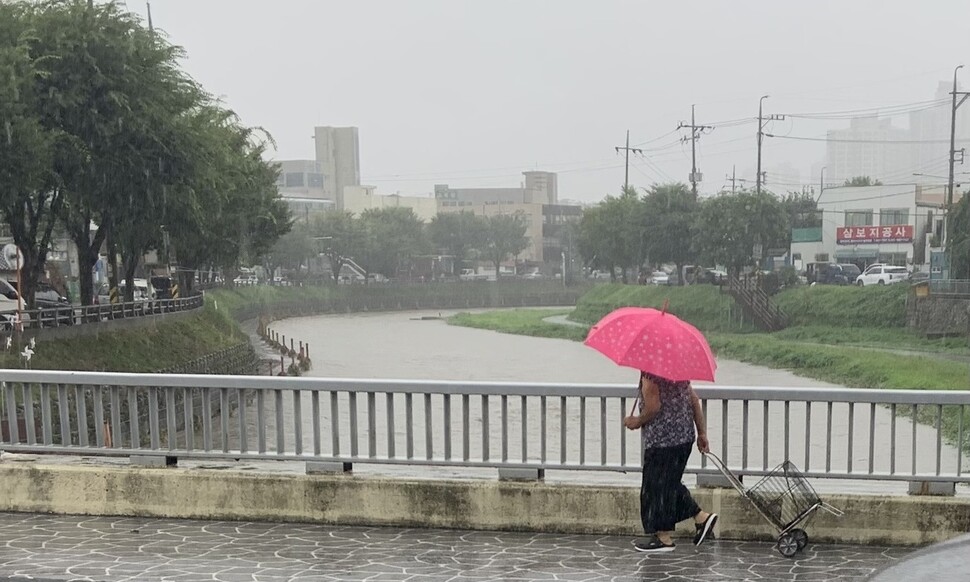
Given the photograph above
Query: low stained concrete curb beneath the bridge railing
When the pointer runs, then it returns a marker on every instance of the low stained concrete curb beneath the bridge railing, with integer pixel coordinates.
(487, 505)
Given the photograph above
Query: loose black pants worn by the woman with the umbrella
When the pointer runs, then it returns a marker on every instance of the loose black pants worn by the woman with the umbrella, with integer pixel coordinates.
(664, 500)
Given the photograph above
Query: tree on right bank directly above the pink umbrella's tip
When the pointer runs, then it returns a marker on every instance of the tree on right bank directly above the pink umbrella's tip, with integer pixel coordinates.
(669, 225)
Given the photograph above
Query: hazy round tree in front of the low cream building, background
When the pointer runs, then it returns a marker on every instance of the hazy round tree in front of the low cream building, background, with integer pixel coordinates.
(393, 236)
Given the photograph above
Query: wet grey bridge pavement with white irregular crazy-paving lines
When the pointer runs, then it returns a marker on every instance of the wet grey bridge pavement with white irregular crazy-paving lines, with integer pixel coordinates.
(115, 549)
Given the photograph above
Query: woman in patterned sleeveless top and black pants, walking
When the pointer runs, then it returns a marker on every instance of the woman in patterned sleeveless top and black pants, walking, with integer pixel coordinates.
(669, 413)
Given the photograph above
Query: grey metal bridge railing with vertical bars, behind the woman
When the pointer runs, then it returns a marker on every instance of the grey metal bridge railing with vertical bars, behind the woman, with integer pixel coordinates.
(829, 433)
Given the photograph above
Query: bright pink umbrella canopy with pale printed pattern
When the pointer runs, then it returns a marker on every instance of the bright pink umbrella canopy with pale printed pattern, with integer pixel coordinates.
(653, 341)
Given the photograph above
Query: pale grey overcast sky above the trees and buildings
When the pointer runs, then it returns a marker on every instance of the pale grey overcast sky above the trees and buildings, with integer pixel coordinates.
(472, 93)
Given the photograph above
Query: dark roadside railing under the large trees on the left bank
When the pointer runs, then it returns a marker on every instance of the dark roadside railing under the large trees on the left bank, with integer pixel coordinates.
(76, 315)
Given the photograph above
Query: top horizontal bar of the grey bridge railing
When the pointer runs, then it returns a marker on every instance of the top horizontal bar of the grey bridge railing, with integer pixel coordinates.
(771, 394)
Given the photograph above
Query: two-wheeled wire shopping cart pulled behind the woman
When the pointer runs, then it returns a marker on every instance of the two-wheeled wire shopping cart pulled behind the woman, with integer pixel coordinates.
(783, 497)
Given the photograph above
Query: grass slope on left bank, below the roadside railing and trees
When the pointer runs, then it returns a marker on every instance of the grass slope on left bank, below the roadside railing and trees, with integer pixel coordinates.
(145, 349)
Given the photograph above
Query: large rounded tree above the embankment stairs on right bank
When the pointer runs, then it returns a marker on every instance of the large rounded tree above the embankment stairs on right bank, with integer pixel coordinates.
(732, 227)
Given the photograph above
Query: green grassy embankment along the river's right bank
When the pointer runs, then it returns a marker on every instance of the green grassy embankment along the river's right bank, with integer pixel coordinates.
(839, 335)
